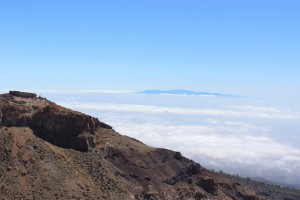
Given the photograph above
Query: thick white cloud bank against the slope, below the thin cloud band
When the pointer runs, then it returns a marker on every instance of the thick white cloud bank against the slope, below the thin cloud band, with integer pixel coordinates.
(231, 147)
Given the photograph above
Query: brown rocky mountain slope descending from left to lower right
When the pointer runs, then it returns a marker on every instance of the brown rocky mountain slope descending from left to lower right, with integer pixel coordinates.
(50, 152)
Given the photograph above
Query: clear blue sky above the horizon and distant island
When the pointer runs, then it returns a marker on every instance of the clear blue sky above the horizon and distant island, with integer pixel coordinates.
(241, 47)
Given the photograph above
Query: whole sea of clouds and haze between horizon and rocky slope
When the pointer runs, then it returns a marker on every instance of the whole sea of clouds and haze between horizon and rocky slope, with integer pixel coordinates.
(239, 136)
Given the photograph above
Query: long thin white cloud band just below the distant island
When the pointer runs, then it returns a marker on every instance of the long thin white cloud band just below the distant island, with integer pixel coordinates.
(229, 111)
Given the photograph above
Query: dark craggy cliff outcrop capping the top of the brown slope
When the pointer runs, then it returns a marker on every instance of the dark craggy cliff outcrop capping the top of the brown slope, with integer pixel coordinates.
(53, 123)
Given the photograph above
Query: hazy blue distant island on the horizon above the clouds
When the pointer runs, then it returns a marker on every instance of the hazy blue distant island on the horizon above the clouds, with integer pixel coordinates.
(185, 92)
